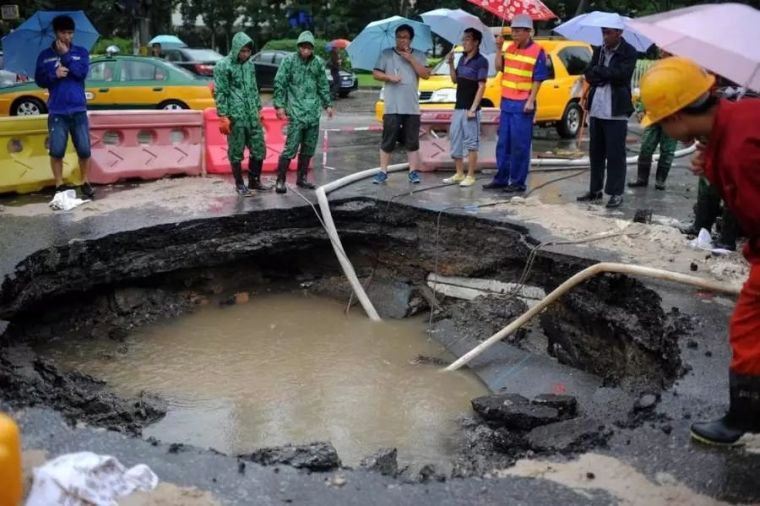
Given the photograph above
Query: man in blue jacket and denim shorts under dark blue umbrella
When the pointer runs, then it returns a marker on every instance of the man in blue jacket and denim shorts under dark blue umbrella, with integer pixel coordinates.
(62, 69)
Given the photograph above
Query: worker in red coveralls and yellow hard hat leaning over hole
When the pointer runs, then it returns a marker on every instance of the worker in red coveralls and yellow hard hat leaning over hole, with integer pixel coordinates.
(679, 96)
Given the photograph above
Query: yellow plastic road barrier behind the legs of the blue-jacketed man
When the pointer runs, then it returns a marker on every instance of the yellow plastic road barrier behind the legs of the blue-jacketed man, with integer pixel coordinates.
(24, 158)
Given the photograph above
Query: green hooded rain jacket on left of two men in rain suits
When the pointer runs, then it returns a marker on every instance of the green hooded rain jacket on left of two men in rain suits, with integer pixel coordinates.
(235, 89)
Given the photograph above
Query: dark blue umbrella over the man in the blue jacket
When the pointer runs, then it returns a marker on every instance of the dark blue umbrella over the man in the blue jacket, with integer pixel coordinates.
(25, 43)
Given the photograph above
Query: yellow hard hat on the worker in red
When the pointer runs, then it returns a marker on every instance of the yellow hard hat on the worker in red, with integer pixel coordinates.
(670, 85)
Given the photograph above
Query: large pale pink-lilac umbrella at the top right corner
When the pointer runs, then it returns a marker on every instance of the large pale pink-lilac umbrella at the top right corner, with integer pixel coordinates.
(723, 38)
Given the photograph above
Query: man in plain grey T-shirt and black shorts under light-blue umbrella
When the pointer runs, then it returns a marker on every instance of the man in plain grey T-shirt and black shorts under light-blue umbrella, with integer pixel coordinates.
(400, 67)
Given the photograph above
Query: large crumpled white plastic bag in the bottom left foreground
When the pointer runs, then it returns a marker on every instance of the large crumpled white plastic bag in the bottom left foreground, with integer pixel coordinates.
(86, 479)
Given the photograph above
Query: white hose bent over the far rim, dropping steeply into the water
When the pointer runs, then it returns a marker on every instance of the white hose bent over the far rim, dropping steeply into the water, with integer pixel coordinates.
(324, 207)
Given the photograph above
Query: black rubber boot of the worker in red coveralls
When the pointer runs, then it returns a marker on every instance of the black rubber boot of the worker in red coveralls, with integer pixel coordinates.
(743, 414)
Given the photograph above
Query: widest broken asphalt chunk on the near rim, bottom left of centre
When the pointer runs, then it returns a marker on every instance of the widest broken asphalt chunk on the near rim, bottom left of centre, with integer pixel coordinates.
(317, 456)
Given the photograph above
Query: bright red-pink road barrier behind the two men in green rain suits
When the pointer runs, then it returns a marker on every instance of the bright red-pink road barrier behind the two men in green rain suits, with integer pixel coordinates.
(216, 144)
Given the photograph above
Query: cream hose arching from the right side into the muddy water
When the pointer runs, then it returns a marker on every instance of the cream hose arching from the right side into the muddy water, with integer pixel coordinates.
(580, 277)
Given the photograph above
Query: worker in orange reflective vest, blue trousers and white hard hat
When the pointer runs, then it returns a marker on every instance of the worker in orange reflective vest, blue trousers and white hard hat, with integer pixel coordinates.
(523, 65)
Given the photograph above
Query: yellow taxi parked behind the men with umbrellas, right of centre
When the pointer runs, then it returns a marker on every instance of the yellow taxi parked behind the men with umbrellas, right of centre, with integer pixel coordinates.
(558, 100)
